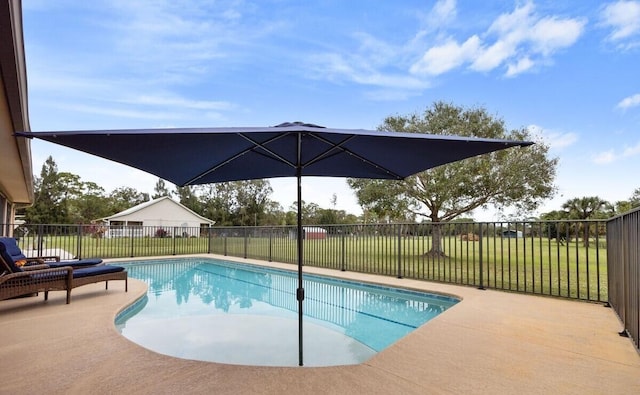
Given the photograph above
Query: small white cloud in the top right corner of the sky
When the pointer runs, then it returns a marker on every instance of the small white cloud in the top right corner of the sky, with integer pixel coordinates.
(623, 17)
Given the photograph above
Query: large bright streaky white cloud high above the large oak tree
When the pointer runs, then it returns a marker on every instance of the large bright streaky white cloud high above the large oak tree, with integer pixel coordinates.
(521, 40)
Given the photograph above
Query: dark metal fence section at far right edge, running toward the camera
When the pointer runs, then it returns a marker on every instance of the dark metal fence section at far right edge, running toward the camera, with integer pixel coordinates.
(623, 238)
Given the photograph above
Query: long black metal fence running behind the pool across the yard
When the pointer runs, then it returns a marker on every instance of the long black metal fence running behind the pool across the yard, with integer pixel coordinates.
(556, 258)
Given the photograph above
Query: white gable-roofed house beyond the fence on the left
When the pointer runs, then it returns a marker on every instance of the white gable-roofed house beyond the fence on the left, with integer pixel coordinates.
(162, 217)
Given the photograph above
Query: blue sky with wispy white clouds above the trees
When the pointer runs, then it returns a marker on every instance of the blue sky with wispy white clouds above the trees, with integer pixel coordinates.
(568, 70)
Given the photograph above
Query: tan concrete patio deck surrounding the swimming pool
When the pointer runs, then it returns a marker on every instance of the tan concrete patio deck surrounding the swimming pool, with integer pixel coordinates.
(490, 343)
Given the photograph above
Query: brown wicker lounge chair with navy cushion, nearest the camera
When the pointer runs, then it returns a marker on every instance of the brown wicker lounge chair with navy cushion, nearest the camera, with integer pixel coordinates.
(79, 276)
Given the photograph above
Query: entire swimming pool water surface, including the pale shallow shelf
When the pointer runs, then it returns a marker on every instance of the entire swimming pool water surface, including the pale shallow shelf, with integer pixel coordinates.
(212, 310)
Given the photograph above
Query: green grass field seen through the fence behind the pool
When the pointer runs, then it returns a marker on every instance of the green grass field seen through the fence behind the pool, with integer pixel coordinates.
(530, 264)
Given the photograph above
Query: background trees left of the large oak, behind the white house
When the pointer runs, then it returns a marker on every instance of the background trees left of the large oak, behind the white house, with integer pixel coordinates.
(63, 198)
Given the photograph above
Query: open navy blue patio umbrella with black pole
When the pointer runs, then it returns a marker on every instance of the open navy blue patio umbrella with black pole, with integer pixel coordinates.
(191, 156)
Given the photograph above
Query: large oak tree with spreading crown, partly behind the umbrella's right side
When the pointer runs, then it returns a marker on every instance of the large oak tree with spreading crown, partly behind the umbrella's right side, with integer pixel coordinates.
(518, 177)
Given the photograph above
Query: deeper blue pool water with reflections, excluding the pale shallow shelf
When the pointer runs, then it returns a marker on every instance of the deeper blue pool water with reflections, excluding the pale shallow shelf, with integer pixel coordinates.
(374, 316)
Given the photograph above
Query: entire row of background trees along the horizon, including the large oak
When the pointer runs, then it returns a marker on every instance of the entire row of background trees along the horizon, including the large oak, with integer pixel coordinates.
(520, 178)
